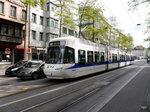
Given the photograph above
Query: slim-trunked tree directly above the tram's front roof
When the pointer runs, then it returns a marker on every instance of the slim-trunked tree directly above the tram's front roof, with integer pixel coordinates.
(65, 14)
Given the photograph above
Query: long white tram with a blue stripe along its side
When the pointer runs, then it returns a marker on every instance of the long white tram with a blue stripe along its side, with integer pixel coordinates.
(70, 57)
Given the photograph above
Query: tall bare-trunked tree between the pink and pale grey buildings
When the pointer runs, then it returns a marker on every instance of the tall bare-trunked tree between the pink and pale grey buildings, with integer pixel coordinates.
(29, 3)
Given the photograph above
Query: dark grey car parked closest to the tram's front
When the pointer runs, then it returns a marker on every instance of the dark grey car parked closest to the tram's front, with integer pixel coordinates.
(32, 70)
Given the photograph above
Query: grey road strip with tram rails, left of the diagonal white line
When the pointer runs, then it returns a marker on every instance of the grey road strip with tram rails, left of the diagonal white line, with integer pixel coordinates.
(89, 94)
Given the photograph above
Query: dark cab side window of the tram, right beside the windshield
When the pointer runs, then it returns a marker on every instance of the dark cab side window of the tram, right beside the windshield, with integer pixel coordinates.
(69, 56)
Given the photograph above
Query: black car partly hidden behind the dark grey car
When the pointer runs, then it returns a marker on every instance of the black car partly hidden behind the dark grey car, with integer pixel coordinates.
(12, 71)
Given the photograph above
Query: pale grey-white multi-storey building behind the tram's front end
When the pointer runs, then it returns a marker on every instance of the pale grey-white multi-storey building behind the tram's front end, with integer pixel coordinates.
(44, 26)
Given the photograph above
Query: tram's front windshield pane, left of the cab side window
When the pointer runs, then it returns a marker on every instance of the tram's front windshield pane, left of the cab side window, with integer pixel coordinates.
(54, 55)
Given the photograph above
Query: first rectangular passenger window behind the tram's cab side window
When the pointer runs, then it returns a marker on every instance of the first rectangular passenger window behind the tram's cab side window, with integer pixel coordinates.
(81, 57)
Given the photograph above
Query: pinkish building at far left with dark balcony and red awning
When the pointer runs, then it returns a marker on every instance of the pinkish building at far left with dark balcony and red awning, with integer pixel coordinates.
(12, 21)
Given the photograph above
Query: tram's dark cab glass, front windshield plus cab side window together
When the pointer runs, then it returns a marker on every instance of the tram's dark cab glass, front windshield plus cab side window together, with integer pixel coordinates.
(60, 55)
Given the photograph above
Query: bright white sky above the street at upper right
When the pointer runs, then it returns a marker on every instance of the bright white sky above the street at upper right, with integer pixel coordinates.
(129, 21)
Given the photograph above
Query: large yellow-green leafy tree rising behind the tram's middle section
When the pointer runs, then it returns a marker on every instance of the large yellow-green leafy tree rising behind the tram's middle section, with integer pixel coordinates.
(93, 22)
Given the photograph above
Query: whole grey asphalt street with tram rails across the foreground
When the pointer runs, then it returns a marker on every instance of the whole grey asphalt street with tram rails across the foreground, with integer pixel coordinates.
(121, 90)
